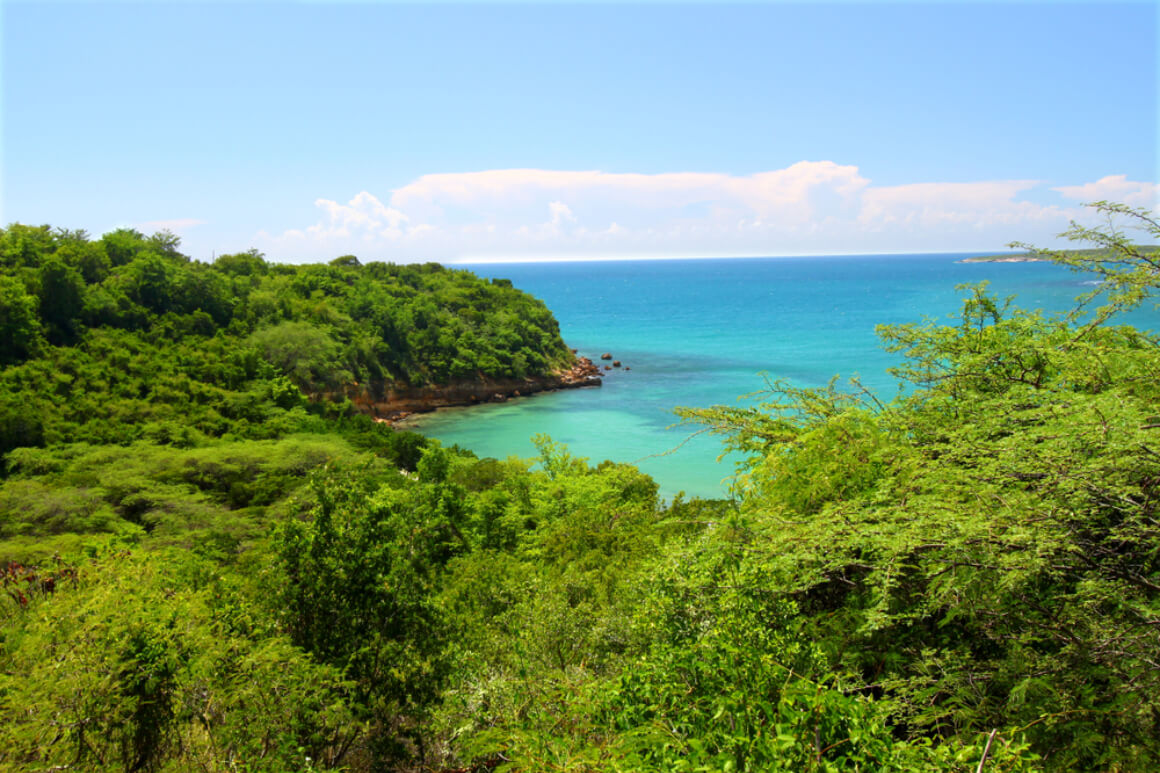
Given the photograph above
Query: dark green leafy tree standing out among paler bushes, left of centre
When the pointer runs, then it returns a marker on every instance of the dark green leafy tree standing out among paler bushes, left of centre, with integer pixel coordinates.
(356, 586)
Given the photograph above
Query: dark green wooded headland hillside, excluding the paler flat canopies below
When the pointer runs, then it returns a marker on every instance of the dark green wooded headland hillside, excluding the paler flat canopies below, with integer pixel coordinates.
(105, 339)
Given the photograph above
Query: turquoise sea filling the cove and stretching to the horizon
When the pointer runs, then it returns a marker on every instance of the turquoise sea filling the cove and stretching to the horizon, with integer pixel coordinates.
(702, 333)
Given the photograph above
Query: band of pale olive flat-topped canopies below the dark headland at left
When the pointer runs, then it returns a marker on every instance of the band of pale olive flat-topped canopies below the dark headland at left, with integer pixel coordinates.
(161, 494)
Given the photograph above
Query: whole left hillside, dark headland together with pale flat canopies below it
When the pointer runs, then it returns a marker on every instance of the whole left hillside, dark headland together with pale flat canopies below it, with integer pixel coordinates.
(148, 392)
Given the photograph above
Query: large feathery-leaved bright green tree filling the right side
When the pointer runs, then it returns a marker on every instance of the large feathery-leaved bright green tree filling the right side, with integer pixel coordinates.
(981, 554)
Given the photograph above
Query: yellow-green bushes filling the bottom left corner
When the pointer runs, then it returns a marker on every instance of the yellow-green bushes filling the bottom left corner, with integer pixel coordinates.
(125, 663)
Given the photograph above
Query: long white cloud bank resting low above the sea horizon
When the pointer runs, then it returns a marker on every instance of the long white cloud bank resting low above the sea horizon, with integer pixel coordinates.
(809, 208)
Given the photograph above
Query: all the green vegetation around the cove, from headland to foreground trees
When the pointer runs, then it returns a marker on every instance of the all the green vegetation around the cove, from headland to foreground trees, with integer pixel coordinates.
(212, 561)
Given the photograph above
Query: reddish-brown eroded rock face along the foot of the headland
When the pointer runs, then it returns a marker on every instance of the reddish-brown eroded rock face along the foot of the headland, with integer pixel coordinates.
(397, 403)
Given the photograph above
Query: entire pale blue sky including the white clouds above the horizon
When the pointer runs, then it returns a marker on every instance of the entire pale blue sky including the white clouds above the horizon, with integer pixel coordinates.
(534, 131)
